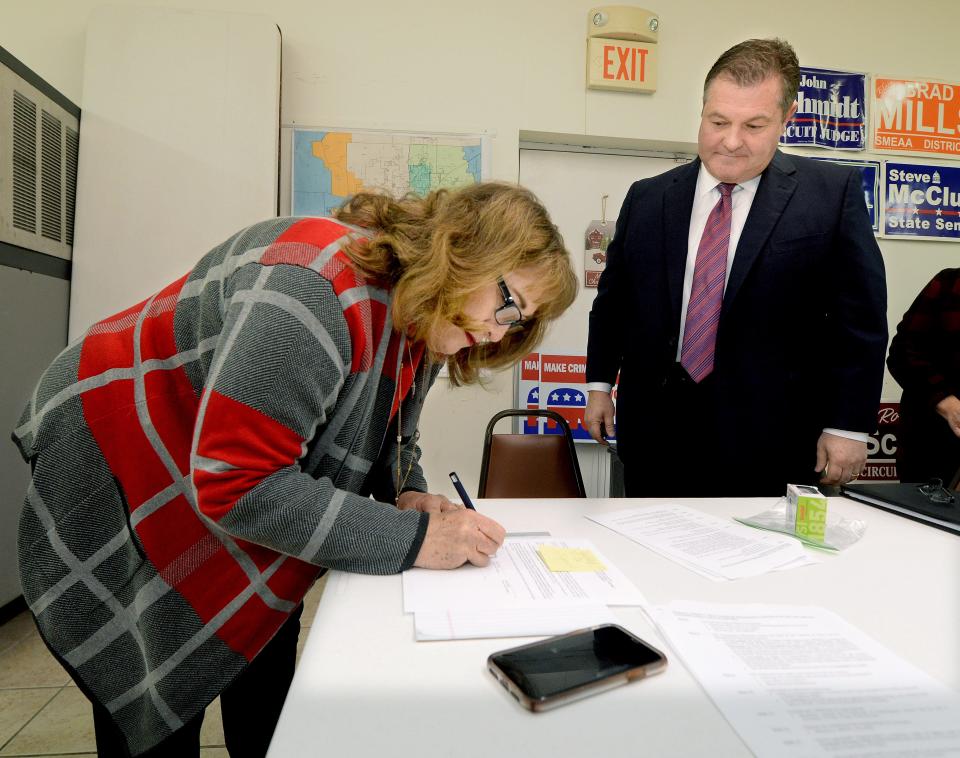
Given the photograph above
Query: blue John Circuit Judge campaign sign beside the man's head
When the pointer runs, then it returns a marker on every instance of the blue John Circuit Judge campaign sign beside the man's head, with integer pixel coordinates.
(831, 110)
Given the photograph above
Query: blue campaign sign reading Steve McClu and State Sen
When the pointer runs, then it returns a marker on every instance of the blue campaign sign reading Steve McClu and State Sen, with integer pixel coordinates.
(921, 200)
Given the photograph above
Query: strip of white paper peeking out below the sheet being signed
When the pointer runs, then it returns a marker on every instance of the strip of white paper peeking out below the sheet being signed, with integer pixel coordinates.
(508, 622)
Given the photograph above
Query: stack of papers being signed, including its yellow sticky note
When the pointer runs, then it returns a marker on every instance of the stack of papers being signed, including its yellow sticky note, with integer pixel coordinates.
(518, 594)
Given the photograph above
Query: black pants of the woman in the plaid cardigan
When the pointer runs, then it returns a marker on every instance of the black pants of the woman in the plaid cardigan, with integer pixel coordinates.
(250, 705)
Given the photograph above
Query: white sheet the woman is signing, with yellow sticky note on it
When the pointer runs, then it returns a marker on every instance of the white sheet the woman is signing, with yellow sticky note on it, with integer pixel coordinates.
(517, 577)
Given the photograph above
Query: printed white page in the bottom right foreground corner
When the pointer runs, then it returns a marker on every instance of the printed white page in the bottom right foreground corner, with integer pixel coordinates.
(800, 682)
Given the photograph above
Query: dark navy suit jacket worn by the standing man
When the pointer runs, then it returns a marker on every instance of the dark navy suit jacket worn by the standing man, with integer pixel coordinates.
(802, 333)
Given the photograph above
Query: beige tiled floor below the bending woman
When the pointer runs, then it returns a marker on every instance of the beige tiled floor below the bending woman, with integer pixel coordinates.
(42, 713)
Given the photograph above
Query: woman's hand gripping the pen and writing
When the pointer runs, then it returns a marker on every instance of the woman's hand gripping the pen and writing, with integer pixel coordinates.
(457, 537)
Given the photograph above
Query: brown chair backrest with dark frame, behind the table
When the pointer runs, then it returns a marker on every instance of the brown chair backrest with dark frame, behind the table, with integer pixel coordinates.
(530, 465)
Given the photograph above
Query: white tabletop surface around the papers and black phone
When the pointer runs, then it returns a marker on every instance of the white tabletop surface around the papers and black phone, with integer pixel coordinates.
(364, 687)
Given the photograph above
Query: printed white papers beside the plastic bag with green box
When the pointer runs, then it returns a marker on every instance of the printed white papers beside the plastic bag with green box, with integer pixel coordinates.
(714, 547)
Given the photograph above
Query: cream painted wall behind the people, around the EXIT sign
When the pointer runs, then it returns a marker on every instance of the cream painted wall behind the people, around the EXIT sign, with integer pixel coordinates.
(511, 65)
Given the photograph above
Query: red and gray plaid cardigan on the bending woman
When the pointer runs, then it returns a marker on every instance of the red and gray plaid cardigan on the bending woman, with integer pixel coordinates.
(198, 457)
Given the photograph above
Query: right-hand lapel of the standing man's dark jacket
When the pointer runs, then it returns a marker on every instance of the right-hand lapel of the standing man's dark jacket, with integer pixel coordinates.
(776, 187)
